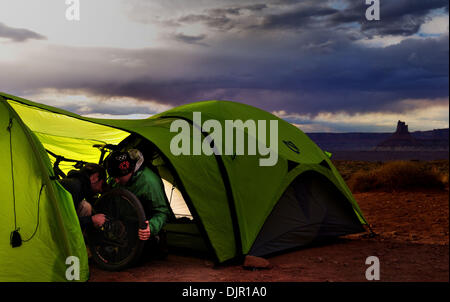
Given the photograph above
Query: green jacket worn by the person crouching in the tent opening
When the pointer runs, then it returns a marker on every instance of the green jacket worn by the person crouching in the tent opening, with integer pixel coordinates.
(149, 189)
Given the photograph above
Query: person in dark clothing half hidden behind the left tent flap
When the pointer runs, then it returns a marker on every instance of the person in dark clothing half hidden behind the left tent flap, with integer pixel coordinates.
(84, 184)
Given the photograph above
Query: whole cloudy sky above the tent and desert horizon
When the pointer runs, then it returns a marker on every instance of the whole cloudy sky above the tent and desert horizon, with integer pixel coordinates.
(319, 64)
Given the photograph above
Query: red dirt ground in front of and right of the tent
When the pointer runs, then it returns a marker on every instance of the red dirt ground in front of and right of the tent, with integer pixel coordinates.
(412, 245)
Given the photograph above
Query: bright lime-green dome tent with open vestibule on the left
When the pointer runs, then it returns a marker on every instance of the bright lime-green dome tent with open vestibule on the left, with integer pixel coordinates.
(237, 206)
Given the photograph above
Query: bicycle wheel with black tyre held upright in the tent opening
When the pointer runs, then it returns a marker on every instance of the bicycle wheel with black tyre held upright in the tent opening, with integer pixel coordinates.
(116, 245)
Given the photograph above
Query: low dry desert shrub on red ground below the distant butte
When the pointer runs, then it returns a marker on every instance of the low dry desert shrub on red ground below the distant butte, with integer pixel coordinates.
(398, 175)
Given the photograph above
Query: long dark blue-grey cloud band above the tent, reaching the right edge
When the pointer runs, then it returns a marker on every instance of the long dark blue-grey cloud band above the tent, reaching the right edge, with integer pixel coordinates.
(352, 79)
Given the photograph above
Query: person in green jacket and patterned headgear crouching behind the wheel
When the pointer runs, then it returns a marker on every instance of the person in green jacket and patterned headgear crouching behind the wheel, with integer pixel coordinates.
(128, 172)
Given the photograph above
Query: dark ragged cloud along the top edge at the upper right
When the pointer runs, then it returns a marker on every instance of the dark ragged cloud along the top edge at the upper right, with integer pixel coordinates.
(399, 17)
